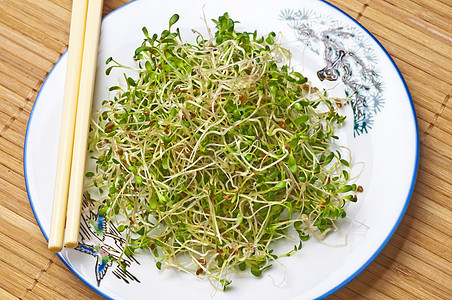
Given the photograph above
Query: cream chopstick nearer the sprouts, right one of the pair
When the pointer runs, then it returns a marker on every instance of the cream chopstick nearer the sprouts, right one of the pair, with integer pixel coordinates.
(93, 23)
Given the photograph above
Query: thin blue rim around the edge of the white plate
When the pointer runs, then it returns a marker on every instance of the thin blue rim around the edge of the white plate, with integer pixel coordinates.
(339, 286)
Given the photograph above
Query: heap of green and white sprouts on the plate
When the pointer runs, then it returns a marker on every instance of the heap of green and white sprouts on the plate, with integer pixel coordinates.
(216, 150)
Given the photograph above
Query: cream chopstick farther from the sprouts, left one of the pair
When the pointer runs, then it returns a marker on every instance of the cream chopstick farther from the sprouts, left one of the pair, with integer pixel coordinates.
(74, 66)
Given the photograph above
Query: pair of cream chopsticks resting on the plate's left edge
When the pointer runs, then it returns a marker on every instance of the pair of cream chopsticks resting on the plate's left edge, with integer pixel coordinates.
(81, 68)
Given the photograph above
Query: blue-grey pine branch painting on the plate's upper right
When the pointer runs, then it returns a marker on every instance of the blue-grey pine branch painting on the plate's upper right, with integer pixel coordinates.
(347, 56)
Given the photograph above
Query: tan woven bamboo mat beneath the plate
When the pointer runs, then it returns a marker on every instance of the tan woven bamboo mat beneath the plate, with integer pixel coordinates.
(415, 264)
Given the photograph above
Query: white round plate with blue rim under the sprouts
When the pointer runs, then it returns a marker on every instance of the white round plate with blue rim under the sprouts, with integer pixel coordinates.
(385, 140)
